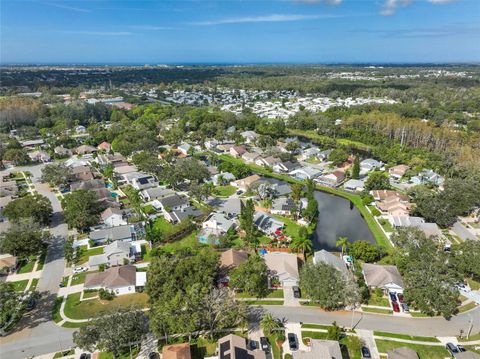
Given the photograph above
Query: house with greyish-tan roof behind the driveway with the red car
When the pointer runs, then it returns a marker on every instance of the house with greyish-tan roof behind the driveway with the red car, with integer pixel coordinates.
(386, 277)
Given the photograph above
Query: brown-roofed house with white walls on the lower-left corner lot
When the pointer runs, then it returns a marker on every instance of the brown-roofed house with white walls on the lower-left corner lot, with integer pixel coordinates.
(118, 280)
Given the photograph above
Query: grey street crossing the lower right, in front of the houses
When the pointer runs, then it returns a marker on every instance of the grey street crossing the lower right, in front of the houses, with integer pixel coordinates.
(413, 326)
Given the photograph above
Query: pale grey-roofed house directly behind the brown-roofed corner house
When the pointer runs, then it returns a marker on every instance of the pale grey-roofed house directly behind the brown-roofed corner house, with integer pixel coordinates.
(114, 254)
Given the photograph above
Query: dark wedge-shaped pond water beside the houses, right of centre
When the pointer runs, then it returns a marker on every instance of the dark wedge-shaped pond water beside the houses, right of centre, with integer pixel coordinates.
(338, 217)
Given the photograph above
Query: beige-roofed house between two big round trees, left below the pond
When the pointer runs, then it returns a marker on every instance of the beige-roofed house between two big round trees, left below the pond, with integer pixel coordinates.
(282, 268)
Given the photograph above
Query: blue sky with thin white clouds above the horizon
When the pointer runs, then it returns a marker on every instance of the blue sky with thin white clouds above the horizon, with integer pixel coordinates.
(229, 31)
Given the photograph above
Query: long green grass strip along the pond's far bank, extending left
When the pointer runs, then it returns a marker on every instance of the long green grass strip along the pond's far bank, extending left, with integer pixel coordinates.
(377, 232)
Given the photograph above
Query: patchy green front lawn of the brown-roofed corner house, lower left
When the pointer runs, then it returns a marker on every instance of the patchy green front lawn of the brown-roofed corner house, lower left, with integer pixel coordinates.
(75, 309)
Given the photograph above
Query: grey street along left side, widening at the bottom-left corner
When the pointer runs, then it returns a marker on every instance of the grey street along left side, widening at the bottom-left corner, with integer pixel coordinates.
(36, 333)
